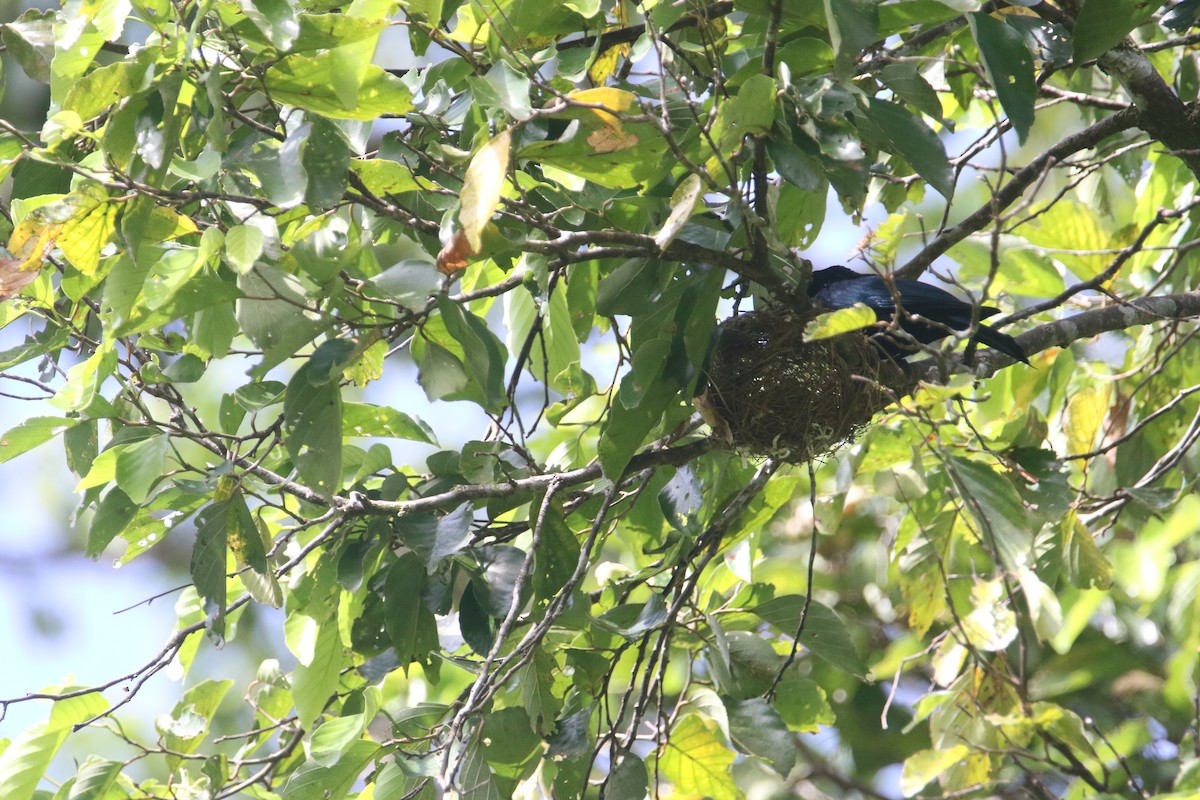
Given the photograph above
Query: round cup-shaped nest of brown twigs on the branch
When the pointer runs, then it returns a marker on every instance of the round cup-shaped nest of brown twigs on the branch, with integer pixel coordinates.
(773, 394)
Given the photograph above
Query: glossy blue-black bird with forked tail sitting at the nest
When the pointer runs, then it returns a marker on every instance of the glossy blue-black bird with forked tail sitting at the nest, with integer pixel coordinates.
(940, 312)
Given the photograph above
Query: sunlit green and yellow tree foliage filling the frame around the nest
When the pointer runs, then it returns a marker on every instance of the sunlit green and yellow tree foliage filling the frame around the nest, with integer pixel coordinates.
(589, 597)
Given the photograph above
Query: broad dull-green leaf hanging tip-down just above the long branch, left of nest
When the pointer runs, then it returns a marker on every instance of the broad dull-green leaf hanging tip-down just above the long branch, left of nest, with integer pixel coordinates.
(313, 431)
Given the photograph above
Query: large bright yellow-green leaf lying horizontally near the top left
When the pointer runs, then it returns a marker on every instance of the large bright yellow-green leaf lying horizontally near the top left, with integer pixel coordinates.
(338, 85)
